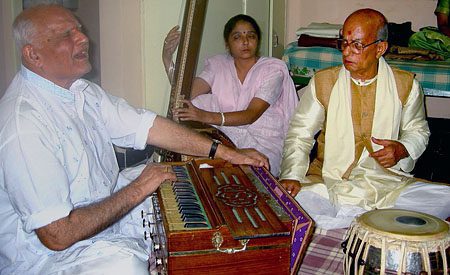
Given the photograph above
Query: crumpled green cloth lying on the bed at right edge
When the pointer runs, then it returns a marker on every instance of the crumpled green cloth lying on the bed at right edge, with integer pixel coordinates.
(429, 38)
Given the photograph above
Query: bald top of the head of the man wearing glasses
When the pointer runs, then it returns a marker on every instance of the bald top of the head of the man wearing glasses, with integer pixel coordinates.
(370, 20)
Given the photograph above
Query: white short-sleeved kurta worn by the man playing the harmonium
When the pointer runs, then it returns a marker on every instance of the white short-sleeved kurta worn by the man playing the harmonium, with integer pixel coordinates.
(56, 154)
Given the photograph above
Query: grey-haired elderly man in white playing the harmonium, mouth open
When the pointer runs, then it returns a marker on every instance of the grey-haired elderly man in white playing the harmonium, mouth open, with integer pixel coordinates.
(60, 199)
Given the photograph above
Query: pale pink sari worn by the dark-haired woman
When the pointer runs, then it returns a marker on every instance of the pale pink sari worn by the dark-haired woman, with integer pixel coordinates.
(268, 80)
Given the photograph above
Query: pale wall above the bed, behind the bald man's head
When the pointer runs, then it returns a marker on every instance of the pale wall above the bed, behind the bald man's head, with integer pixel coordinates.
(302, 12)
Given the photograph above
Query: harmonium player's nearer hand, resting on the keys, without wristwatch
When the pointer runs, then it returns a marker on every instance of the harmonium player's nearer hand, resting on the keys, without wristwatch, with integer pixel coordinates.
(152, 176)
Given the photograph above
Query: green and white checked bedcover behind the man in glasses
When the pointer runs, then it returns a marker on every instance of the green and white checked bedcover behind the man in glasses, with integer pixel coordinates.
(302, 62)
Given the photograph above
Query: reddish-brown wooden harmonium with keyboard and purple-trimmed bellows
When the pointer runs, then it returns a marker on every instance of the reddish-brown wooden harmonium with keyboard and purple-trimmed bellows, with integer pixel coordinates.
(220, 218)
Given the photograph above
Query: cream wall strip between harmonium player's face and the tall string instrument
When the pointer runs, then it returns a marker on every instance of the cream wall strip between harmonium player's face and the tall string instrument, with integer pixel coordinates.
(120, 49)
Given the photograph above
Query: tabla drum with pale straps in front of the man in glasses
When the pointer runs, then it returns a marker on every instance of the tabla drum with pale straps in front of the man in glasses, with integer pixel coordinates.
(395, 241)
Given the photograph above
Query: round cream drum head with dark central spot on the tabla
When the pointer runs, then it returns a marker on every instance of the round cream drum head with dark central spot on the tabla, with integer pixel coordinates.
(404, 224)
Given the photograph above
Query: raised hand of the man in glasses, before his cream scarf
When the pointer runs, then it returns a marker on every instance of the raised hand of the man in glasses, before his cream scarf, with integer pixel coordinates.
(391, 154)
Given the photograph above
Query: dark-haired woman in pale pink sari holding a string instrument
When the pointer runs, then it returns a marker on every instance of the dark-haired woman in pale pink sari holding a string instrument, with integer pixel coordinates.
(248, 97)
